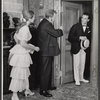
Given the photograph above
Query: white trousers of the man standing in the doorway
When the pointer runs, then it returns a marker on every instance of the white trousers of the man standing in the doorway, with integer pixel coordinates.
(79, 65)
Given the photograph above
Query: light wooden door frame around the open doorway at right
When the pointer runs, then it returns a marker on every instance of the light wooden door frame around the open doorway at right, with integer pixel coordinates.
(94, 43)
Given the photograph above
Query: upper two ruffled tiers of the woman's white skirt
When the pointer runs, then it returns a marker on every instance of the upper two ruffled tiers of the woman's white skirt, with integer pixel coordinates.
(21, 56)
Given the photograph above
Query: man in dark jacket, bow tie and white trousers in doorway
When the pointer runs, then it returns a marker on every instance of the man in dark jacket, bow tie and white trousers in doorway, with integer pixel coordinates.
(78, 33)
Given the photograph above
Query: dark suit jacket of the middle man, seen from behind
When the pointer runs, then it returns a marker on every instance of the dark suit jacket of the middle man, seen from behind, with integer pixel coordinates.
(47, 38)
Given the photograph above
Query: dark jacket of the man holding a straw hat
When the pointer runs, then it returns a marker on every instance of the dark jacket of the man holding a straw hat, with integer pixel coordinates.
(75, 32)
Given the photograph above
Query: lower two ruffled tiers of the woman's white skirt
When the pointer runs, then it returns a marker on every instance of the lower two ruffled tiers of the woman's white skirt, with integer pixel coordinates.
(19, 76)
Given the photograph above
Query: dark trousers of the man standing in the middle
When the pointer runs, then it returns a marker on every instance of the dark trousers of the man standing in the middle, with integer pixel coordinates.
(46, 72)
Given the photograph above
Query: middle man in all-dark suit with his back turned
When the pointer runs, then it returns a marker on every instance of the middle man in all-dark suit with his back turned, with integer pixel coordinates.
(47, 41)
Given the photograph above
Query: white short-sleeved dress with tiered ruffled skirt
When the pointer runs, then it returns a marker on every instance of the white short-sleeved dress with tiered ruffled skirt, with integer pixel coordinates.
(20, 61)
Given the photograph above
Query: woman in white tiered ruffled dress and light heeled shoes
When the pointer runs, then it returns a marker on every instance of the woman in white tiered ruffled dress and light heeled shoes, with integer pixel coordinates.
(20, 58)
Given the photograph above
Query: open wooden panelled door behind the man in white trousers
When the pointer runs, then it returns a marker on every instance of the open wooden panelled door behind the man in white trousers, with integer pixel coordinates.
(70, 15)
